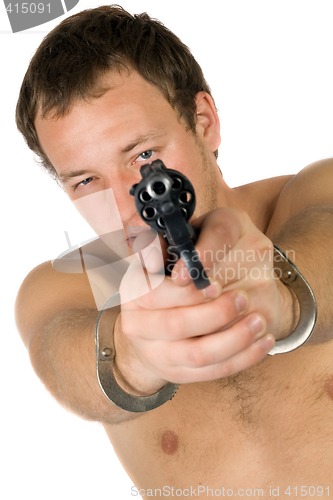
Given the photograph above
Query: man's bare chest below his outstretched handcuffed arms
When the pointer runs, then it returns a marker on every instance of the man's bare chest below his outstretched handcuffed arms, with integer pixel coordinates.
(272, 425)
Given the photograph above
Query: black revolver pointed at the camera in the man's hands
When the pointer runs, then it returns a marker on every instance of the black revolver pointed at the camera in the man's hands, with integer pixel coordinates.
(165, 200)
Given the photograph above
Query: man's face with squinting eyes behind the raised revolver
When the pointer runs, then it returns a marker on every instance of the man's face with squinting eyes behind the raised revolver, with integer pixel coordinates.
(102, 143)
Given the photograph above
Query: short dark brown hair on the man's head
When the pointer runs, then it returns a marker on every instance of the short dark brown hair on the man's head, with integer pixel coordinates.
(70, 61)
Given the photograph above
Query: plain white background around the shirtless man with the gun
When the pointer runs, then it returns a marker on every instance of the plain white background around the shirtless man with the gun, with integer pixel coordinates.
(269, 64)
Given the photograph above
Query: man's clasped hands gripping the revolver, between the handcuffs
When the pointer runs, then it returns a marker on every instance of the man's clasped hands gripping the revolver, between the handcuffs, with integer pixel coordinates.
(179, 334)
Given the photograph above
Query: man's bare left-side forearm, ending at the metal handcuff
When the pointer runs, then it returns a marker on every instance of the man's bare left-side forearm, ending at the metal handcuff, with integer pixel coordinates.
(63, 356)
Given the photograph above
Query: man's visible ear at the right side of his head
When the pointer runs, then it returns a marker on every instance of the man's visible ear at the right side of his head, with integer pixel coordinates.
(208, 123)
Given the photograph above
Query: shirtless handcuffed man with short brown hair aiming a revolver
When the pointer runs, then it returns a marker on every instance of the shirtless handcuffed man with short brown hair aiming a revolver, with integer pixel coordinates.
(105, 93)
